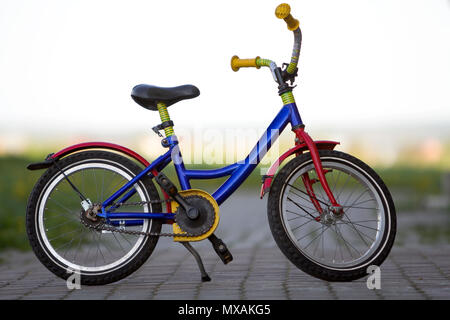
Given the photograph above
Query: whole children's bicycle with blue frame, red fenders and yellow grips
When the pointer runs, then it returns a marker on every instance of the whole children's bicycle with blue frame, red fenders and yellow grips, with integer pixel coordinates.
(98, 212)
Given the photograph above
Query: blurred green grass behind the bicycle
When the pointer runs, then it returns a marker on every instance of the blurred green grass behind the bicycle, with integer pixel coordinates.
(417, 189)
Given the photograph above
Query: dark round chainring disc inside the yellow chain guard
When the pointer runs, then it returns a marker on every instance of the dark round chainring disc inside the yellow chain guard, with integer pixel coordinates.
(205, 220)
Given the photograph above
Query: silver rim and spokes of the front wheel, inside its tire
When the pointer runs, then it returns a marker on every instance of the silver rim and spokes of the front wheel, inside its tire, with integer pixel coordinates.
(353, 240)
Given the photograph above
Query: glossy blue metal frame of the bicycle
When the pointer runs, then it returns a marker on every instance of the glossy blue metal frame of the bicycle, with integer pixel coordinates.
(238, 171)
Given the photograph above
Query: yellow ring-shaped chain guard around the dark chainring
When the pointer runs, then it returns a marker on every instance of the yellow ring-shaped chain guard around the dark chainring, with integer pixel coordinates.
(204, 194)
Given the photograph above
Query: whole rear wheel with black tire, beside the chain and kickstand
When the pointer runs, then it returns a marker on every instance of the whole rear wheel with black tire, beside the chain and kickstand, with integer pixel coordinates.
(58, 235)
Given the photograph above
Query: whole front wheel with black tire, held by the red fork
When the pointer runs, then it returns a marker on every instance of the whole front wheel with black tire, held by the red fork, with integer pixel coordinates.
(329, 246)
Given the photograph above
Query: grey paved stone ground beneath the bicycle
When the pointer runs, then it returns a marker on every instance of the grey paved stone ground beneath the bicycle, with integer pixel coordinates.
(259, 270)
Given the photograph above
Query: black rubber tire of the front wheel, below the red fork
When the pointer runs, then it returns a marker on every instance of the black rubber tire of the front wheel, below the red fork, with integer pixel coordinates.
(288, 246)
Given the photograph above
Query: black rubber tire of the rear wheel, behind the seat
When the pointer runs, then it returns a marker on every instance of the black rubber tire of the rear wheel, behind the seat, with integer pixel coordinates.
(141, 252)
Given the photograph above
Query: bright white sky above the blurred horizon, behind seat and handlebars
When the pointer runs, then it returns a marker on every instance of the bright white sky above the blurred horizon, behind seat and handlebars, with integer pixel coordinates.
(70, 65)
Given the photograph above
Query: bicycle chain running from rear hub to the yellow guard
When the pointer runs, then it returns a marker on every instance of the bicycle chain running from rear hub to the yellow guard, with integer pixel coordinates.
(105, 227)
